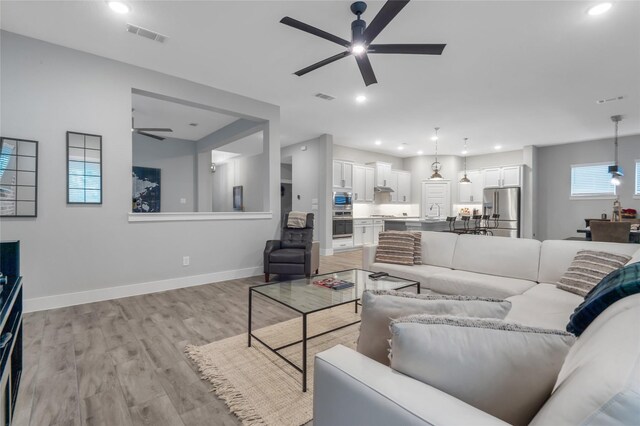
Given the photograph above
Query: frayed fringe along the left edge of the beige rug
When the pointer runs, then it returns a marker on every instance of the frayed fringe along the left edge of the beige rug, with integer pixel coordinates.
(236, 402)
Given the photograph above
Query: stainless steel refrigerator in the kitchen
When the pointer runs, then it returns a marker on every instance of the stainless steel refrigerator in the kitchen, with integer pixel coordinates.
(506, 203)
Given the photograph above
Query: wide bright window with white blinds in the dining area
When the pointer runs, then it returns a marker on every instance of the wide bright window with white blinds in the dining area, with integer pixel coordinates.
(591, 180)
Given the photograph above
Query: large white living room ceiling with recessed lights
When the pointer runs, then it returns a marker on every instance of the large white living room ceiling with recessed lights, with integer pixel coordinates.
(513, 73)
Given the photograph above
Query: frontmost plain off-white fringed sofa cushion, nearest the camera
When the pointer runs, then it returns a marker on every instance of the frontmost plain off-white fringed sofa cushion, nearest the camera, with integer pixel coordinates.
(505, 369)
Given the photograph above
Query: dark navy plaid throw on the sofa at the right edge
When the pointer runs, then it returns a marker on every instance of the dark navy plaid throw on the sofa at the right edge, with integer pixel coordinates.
(617, 285)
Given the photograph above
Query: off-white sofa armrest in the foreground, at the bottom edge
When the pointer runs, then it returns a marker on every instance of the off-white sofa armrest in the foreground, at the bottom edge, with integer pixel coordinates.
(352, 389)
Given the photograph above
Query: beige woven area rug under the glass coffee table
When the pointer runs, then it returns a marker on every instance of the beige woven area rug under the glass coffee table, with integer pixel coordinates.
(258, 386)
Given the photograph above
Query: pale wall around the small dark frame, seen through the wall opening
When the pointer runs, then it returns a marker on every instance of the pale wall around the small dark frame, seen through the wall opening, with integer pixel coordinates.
(247, 172)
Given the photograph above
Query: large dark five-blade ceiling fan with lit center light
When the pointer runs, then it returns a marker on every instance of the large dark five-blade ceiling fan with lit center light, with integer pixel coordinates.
(361, 38)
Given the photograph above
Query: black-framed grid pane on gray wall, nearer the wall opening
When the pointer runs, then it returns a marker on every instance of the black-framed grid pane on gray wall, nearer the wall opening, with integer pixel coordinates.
(84, 168)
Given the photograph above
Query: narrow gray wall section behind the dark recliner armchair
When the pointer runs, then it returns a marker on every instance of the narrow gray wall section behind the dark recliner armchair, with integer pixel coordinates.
(311, 180)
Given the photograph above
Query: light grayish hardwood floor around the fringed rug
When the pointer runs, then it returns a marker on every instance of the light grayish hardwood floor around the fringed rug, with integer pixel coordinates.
(121, 362)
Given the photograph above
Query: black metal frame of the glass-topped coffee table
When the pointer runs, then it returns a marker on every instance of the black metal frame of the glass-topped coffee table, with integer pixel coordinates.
(305, 337)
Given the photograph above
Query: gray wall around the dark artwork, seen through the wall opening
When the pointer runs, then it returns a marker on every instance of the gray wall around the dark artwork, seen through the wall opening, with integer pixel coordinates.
(176, 160)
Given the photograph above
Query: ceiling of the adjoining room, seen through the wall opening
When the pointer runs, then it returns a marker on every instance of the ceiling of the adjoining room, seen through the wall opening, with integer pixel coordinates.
(152, 112)
